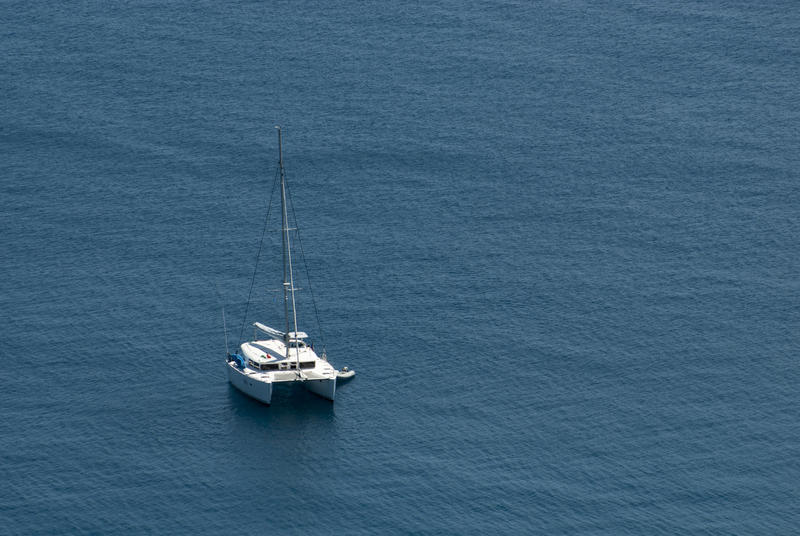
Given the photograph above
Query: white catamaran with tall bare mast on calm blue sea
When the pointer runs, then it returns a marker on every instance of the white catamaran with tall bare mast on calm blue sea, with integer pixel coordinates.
(282, 357)
